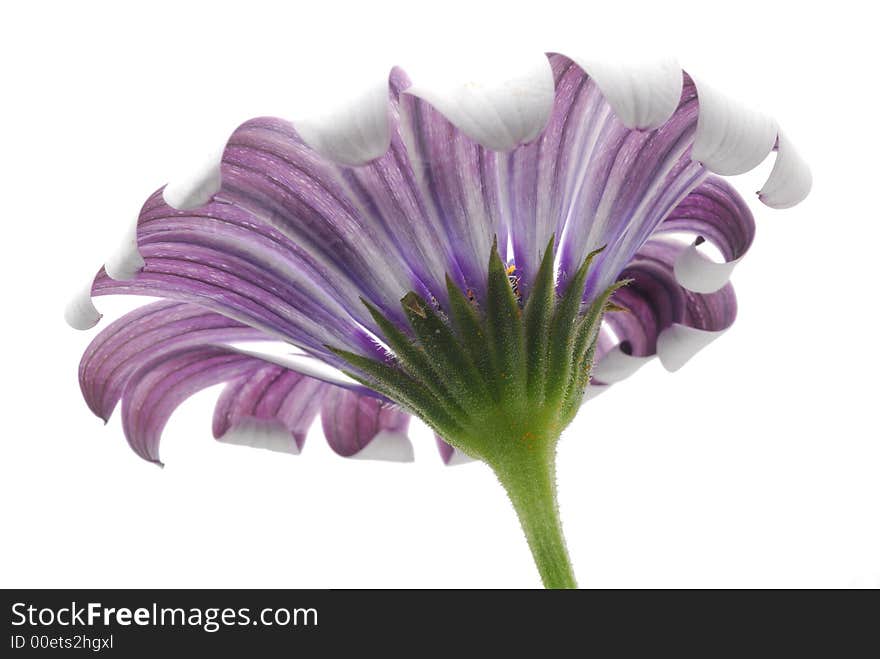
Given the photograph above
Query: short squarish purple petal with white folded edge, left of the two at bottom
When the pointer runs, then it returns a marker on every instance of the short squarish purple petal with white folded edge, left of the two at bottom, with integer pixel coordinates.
(267, 399)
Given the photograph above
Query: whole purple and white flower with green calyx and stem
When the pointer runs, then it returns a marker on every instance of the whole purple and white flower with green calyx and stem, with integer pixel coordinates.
(473, 258)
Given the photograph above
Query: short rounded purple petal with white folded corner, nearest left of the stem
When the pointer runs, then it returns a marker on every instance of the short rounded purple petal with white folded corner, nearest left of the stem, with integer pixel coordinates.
(365, 427)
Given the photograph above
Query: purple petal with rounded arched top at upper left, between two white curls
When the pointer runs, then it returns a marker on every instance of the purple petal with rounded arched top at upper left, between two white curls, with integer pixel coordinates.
(270, 172)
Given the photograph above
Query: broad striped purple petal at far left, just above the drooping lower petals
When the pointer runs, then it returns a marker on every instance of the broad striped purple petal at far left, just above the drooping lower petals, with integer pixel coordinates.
(223, 259)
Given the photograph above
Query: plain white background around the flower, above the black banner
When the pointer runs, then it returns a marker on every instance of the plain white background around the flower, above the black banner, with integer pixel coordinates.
(756, 465)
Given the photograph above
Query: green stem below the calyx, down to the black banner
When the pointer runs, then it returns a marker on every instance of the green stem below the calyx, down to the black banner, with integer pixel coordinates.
(531, 486)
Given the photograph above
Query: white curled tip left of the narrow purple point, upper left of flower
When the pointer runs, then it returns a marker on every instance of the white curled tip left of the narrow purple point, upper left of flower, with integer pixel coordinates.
(352, 133)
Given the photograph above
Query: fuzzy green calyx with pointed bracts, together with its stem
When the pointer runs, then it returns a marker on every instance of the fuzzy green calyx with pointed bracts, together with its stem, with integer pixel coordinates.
(499, 383)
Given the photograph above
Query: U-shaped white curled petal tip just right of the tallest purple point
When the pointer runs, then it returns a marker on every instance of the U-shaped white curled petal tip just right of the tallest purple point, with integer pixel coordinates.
(643, 94)
